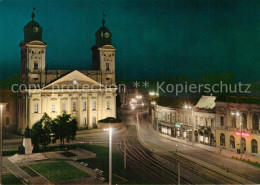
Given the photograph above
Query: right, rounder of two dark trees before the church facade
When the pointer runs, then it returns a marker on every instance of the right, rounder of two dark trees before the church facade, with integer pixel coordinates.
(64, 127)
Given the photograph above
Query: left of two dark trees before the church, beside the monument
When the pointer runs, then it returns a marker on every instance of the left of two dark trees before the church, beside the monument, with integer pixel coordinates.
(41, 132)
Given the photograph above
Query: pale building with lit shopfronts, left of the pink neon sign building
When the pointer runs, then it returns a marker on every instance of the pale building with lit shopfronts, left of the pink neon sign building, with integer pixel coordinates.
(181, 122)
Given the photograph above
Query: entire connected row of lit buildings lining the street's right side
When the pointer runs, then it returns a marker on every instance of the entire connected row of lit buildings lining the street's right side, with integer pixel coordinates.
(224, 124)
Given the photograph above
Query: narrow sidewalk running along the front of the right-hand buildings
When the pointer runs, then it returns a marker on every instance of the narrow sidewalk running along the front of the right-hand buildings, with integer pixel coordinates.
(225, 153)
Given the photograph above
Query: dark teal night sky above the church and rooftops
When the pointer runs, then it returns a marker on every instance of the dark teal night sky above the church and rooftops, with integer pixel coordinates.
(154, 38)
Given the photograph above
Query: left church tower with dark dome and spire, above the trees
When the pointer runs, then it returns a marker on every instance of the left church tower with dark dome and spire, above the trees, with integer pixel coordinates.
(33, 54)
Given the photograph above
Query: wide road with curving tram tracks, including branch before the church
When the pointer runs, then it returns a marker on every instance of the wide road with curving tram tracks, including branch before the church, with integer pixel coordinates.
(156, 158)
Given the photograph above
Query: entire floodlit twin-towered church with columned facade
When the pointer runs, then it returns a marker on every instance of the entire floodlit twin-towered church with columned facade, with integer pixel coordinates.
(88, 95)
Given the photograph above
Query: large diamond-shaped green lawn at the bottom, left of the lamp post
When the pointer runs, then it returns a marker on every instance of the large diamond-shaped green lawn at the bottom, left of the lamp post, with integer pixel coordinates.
(59, 171)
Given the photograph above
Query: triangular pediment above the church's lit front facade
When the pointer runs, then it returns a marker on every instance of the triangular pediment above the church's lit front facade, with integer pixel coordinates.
(74, 80)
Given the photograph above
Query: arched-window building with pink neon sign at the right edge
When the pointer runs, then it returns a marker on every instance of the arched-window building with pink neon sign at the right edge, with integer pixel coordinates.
(234, 119)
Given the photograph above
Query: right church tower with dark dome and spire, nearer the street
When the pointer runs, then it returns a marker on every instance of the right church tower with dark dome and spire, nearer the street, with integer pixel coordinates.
(103, 54)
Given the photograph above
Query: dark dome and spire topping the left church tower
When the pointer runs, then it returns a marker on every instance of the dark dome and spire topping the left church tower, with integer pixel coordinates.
(32, 30)
